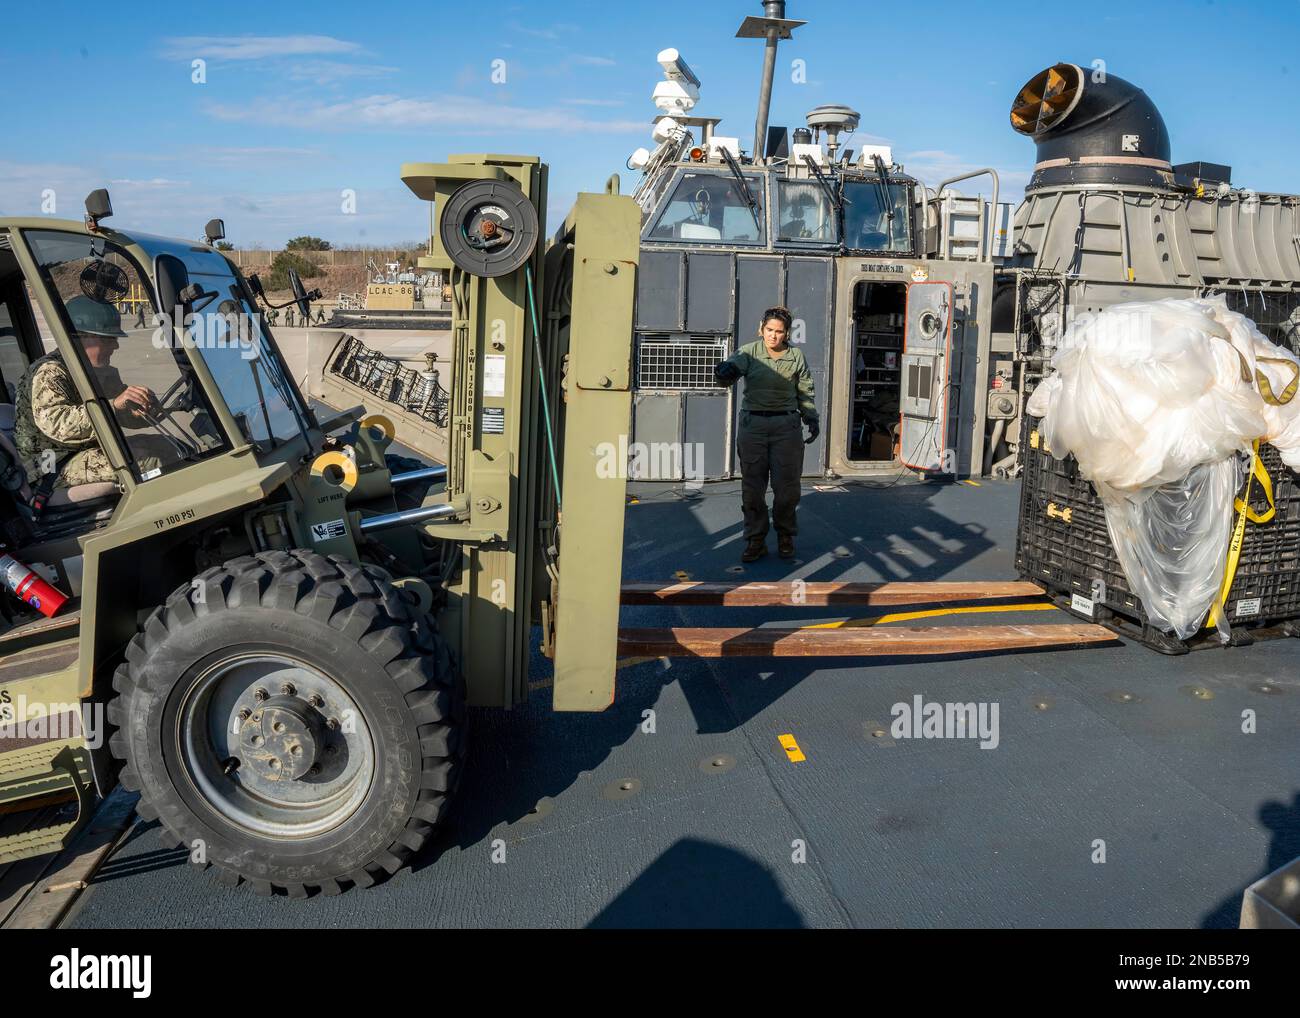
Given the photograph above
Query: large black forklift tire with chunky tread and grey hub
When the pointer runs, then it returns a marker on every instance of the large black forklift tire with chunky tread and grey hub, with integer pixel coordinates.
(293, 722)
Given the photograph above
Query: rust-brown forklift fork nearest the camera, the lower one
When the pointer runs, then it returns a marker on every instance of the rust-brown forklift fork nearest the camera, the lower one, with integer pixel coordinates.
(870, 642)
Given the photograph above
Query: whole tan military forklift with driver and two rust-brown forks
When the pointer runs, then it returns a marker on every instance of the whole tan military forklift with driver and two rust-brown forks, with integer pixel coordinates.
(267, 622)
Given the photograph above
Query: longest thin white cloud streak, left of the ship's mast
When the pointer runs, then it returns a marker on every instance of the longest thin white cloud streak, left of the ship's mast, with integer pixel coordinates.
(396, 112)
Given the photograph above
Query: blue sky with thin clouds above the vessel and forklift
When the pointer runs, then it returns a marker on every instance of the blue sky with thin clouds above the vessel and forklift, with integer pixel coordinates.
(302, 102)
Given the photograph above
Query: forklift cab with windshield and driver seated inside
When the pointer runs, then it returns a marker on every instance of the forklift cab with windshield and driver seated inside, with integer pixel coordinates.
(161, 345)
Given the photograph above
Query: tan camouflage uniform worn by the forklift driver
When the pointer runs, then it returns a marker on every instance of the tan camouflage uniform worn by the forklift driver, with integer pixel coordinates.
(51, 423)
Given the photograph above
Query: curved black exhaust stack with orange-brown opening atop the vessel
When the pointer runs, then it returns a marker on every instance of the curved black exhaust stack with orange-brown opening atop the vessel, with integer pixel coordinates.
(1093, 128)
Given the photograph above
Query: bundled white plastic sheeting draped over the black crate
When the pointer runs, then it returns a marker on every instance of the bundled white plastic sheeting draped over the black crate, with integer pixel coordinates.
(1160, 404)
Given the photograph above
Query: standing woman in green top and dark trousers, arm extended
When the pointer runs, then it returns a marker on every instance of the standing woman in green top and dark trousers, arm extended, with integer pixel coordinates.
(778, 396)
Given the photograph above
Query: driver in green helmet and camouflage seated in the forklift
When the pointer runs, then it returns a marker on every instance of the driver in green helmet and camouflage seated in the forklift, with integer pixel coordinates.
(53, 430)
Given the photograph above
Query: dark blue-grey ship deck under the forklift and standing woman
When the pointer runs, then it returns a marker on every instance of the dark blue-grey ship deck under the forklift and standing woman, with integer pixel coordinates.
(708, 821)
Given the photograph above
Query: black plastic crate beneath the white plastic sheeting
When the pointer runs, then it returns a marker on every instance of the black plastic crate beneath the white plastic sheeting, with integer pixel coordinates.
(1064, 545)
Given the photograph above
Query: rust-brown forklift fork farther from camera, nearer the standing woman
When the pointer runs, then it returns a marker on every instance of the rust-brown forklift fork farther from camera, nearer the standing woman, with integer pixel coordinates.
(796, 592)
